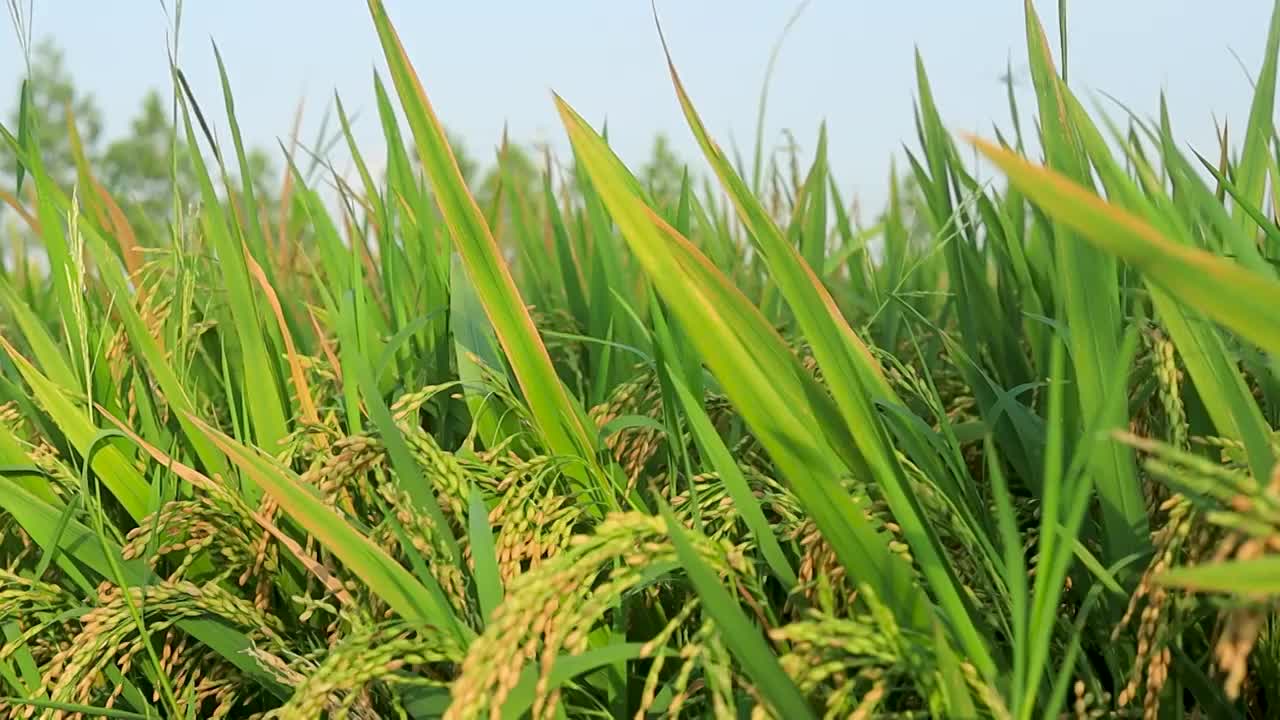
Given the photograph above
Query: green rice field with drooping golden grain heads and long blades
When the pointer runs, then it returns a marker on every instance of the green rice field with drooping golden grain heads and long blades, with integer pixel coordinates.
(593, 448)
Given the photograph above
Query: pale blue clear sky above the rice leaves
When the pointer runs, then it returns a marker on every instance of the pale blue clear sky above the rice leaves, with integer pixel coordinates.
(487, 63)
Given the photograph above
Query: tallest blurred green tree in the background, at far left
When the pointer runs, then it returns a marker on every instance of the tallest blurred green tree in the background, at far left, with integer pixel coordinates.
(52, 93)
